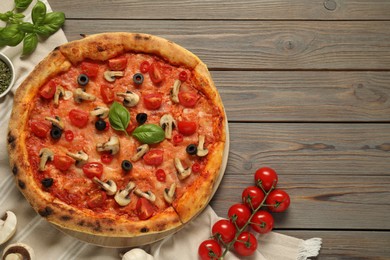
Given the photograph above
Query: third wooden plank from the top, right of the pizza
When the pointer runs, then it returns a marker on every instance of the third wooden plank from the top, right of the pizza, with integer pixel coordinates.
(304, 95)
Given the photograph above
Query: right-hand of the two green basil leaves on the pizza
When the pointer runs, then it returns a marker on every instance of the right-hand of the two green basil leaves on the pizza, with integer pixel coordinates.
(149, 134)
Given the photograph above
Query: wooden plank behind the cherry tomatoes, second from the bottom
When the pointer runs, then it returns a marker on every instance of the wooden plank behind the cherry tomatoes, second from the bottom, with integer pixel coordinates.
(332, 202)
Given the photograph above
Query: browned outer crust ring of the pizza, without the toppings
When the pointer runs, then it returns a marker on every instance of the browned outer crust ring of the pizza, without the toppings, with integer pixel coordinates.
(102, 47)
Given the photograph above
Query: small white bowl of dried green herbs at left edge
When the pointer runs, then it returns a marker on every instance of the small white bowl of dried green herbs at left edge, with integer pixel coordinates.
(7, 75)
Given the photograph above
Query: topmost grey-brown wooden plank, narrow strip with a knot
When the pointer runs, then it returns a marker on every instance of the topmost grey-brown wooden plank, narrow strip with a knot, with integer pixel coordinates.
(220, 9)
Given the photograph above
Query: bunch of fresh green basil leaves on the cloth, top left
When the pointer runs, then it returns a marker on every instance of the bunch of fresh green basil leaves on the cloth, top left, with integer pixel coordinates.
(16, 30)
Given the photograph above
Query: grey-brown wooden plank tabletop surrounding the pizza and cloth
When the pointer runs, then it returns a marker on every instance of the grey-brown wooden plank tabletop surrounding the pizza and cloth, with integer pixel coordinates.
(306, 87)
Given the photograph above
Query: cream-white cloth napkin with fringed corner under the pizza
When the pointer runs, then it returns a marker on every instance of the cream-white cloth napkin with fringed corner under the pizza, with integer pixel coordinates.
(49, 243)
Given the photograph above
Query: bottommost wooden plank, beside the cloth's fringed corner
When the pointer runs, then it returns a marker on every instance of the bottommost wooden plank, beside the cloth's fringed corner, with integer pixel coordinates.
(347, 245)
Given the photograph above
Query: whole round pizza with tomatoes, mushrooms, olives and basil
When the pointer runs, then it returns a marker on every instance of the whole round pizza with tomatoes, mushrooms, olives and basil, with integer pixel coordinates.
(117, 135)
